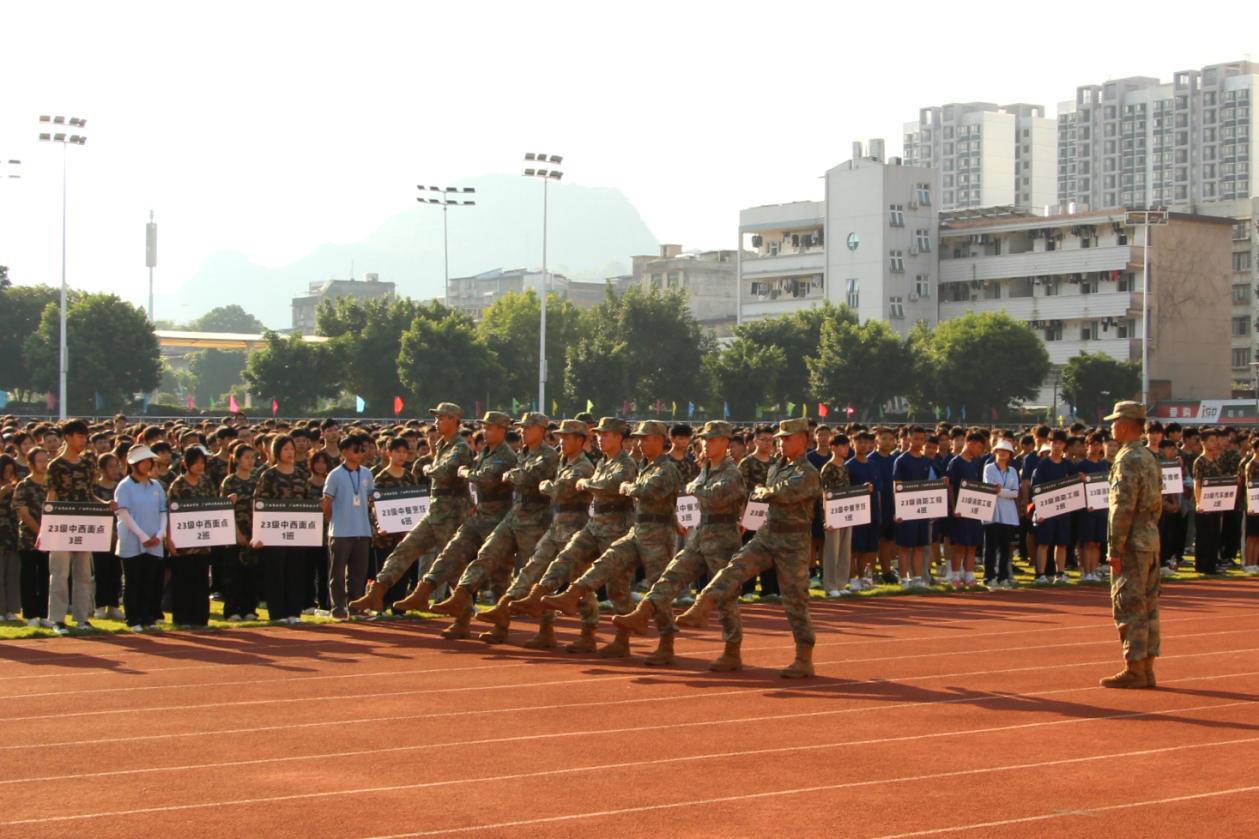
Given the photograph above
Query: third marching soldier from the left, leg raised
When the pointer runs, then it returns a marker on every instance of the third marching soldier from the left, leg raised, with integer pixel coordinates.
(519, 532)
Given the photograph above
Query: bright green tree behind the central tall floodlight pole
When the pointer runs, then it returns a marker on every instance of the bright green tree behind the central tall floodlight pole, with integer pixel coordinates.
(511, 329)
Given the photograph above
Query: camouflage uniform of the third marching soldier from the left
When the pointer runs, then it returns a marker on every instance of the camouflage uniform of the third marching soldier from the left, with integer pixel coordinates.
(528, 520)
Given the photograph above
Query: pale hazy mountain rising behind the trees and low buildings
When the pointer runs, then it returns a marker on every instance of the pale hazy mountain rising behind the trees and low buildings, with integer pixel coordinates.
(592, 235)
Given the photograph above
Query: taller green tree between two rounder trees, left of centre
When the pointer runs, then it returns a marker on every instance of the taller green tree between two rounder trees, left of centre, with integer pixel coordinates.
(367, 341)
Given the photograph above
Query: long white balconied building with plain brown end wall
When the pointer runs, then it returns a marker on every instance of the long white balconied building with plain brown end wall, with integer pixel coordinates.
(1077, 282)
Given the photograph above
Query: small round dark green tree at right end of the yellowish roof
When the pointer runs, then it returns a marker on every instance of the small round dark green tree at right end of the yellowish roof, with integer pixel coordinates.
(293, 372)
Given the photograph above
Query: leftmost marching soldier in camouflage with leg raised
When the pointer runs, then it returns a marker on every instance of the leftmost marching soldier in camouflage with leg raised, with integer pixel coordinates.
(449, 507)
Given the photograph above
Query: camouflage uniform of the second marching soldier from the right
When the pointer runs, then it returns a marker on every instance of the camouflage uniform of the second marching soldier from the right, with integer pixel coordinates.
(709, 547)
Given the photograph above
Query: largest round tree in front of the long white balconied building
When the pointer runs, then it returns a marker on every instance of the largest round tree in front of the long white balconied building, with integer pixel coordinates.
(984, 362)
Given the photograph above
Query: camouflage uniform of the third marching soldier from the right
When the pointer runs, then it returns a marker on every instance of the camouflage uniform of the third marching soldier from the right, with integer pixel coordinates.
(650, 542)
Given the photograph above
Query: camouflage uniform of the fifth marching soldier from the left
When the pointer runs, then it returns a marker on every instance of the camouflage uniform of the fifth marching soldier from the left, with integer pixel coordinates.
(611, 521)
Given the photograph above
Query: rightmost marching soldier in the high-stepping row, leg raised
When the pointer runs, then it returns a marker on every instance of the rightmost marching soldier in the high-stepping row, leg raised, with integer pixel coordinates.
(784, 541)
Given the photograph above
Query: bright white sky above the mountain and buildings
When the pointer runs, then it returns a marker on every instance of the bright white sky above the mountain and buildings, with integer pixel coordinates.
(271, 128)
